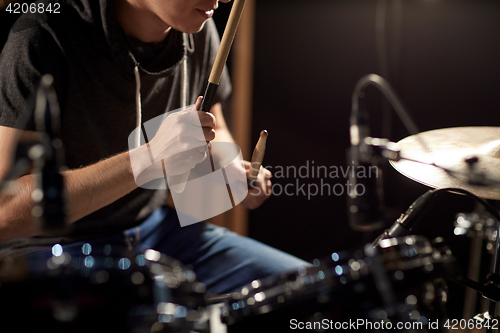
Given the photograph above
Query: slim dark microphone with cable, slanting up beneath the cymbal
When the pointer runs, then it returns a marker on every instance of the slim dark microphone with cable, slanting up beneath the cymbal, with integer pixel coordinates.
(407, 221)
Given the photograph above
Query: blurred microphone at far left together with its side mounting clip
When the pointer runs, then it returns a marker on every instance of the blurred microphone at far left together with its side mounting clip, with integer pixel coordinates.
(43, 151)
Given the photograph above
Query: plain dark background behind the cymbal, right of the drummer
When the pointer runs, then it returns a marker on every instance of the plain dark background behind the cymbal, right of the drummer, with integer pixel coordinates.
(443, 59)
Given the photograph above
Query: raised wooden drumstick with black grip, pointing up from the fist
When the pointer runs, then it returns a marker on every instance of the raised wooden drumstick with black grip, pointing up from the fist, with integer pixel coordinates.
(221, 57)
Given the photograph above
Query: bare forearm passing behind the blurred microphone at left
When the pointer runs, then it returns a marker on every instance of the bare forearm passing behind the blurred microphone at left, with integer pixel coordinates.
(87, 190)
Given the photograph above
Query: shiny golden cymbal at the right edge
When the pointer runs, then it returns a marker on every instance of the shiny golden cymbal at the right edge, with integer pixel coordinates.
(449, 150)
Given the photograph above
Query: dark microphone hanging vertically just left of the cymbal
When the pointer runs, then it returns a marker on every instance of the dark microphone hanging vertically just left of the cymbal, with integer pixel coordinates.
(365, 207)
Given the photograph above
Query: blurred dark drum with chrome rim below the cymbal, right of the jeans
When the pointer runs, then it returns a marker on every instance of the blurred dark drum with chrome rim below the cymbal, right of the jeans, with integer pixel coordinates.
(397, 287)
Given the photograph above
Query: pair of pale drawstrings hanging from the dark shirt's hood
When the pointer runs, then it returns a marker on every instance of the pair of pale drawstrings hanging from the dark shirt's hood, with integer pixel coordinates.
(188, 45)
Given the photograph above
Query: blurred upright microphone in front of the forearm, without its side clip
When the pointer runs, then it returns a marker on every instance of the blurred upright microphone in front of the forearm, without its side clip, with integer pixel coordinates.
(49, 195)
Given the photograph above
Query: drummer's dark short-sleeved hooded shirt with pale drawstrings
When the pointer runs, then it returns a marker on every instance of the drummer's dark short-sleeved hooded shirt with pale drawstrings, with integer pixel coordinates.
(92, 61)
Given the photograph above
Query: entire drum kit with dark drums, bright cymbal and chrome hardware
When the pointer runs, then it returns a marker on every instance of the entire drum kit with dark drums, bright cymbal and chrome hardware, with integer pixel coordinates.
(397, 282)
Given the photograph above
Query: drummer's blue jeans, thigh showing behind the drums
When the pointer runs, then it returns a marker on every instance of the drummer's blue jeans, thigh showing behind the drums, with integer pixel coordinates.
(223, 260)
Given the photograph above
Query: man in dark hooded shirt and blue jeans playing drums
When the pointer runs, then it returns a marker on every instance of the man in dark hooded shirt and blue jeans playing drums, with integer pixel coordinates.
(113, 62)
